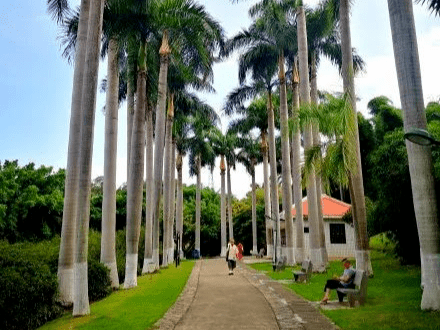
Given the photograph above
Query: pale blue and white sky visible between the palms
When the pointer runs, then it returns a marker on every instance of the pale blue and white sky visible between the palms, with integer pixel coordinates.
(36, 82)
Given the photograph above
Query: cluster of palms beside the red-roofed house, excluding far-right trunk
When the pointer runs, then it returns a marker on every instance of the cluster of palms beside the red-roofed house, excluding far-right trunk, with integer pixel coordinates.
(279, 35)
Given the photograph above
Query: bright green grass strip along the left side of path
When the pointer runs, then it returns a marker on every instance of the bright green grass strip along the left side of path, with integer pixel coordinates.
(137, 308)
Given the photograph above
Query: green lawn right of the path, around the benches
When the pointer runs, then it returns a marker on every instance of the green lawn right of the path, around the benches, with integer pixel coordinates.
(393, 301)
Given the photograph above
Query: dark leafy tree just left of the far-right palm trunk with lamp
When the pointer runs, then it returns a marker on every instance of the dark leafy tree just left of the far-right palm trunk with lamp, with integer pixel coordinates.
(393, 208)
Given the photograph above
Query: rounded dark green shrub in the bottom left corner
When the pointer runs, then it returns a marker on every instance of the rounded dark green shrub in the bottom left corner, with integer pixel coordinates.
(28, 290)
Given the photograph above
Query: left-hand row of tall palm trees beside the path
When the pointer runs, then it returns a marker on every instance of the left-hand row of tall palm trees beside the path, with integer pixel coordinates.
(156, 49)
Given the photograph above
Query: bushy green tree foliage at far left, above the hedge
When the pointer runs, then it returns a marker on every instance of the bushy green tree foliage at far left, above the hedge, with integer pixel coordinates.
(31, 201)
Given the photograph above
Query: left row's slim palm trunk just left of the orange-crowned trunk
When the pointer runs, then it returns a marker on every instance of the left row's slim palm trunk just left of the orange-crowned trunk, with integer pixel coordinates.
(148, 266)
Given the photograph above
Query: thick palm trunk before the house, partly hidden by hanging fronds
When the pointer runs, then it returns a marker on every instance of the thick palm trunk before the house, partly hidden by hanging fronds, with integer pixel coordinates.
(304, 87)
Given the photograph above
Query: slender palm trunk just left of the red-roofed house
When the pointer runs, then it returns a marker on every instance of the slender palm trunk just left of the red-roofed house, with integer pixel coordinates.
(275, 211)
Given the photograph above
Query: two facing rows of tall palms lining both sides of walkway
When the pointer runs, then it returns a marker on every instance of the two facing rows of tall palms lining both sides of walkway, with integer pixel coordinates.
(159, 48)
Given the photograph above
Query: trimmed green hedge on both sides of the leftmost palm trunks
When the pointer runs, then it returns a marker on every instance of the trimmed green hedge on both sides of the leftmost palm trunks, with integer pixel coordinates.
(29, 284)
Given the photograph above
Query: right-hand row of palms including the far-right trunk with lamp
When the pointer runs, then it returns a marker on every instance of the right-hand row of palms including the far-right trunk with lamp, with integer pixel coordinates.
(267, 42)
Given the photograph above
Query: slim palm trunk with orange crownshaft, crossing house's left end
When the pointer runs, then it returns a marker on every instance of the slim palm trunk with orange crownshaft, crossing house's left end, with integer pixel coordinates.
(286, 171)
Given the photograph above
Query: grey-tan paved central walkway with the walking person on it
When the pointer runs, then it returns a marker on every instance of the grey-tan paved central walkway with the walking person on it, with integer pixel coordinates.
(227, 302)
